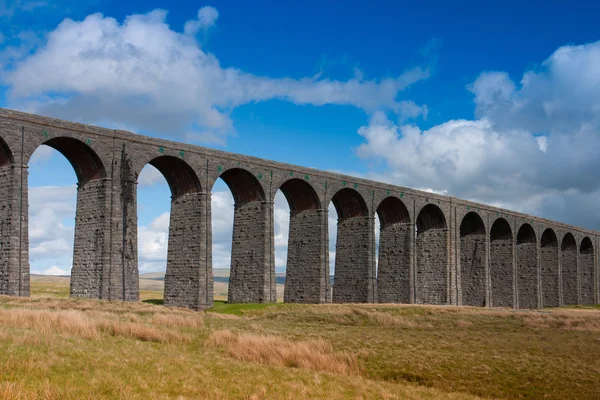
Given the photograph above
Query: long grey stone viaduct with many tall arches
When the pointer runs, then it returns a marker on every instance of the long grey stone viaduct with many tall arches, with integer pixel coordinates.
(433, 249)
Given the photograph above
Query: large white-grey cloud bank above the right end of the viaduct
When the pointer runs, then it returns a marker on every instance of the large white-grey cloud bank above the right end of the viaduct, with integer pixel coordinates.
(533, 146)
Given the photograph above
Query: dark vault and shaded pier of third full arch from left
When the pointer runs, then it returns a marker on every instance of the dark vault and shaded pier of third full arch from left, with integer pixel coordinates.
(252, 271)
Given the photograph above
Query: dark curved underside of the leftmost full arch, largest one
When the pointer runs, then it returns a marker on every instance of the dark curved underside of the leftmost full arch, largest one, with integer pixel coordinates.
(85, 161)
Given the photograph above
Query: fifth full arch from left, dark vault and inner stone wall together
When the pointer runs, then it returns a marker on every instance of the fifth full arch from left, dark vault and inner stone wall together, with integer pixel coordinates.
(354, 268)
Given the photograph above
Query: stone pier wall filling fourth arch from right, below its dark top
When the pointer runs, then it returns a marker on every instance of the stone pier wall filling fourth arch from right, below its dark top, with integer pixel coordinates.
(527, 277)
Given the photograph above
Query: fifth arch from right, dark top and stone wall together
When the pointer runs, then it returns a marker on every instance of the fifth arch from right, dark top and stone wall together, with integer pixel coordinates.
(501, 264)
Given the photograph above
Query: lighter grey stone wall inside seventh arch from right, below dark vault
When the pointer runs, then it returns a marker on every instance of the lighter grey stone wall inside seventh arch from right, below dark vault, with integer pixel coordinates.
(432, 267)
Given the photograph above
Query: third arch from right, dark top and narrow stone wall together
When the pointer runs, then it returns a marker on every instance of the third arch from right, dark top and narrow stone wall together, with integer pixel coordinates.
(549, 268)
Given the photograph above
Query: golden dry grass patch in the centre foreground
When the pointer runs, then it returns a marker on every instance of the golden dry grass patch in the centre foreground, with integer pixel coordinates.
(314, 354)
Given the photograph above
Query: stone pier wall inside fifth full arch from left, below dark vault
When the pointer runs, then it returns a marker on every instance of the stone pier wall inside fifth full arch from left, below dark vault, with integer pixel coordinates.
(353, 280)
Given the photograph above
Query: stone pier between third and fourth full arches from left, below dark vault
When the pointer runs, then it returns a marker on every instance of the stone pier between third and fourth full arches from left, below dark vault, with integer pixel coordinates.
(251, 270)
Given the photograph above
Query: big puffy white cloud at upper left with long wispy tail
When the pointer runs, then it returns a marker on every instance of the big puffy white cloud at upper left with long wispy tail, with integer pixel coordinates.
(142, 74)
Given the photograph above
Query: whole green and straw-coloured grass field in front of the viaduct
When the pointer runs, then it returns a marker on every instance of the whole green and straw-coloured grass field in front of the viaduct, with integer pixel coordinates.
(52, 347)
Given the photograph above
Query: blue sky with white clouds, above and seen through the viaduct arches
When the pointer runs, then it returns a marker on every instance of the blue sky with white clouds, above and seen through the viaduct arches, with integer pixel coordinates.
(493, 101)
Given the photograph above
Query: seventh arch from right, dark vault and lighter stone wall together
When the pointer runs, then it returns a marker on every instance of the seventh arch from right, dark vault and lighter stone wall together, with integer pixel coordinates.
(431, 256)
